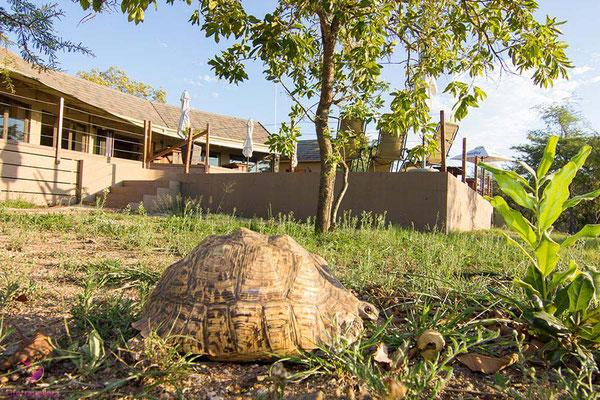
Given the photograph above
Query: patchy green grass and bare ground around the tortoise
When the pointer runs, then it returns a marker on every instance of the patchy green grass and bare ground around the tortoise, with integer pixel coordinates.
(82, 277)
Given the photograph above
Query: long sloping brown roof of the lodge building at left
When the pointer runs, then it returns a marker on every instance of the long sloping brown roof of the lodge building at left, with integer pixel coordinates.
(131, 107)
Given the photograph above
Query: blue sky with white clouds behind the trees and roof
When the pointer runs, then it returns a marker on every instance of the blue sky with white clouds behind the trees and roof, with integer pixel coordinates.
(166, 51)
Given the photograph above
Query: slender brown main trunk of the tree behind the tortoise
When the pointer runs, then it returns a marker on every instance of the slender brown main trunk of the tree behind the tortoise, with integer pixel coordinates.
(328, 167)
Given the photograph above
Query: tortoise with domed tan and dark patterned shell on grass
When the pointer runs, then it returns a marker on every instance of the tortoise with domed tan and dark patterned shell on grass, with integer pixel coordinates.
(251, 297)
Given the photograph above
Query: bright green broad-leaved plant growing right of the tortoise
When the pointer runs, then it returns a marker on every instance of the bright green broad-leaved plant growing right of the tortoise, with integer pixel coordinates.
(562, 305)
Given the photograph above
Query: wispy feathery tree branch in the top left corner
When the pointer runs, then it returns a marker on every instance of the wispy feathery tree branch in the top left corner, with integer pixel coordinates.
(31, 28)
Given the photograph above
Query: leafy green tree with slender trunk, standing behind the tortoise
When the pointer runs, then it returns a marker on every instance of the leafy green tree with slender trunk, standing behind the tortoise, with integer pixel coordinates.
(329, 56)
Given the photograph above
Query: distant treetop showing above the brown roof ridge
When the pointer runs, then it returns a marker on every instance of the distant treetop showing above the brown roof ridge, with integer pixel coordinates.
(118, 79)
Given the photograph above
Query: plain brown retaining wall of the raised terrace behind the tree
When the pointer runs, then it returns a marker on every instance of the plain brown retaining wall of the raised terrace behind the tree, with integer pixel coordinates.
(424, 200)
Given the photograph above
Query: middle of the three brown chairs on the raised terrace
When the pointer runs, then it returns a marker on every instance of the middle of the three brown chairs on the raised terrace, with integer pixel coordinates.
(387, 152)
